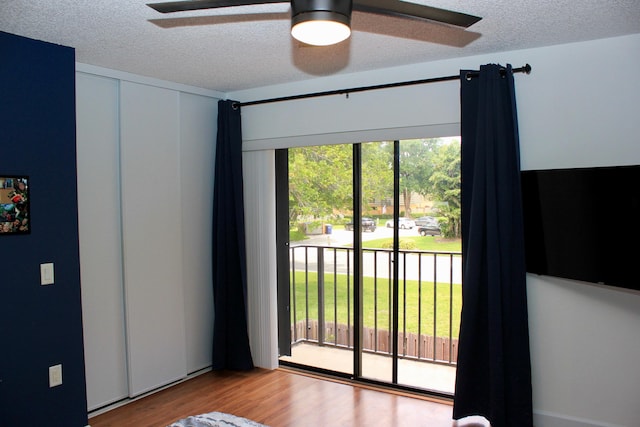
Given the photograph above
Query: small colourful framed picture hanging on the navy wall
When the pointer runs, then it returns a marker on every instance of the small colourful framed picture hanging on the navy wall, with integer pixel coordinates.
(14, 205)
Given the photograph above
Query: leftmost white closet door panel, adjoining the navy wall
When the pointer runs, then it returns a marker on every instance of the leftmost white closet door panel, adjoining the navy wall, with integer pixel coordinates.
(100, 239)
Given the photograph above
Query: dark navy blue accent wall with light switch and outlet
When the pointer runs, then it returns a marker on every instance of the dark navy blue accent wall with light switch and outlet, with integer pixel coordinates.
(40, 326)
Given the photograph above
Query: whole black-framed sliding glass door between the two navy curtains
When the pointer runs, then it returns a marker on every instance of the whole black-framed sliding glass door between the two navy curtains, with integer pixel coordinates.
(372, 281)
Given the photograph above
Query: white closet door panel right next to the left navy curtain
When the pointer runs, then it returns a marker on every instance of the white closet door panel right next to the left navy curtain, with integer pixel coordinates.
(198, 140)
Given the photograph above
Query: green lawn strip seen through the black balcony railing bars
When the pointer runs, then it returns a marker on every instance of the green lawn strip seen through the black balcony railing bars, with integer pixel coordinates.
(380, 317)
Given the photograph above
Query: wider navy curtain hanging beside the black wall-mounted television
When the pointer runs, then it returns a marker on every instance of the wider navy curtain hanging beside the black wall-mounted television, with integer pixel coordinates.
(494, 369)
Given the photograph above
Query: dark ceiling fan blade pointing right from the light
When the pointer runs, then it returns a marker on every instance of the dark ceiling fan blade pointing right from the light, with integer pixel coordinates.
(416, 11)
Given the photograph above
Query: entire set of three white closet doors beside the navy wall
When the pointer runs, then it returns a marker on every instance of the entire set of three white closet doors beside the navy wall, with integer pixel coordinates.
(145, 183)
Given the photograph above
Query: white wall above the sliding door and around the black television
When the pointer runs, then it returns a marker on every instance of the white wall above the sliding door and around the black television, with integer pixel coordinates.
(577, 108)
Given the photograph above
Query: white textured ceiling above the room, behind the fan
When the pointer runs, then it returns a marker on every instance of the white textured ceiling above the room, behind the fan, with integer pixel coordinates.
(245, 47)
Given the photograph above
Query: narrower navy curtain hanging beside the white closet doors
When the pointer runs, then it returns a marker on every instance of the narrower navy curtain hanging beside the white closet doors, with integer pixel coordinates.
(230, 337)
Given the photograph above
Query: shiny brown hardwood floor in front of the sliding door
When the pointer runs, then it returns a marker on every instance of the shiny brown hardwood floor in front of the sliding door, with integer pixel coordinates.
(279, 398)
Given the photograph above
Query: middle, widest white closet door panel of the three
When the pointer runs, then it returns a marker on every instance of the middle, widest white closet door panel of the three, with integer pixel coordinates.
(152, 243)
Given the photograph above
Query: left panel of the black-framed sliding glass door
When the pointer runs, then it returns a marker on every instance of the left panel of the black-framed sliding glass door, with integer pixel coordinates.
(319, 257)
